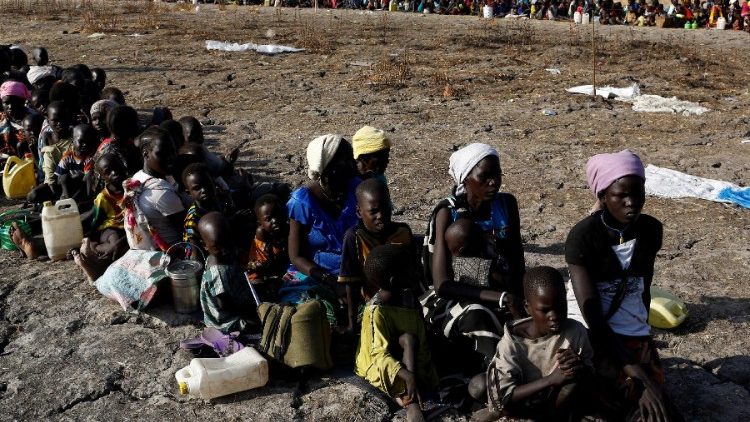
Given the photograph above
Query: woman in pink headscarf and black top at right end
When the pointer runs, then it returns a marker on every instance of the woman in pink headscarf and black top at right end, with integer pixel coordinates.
(611, 255)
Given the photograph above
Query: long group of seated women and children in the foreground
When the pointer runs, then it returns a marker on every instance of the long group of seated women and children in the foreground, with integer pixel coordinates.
(410, 307)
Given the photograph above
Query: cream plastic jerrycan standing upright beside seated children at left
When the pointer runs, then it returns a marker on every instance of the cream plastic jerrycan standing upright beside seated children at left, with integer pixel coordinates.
(61, 227)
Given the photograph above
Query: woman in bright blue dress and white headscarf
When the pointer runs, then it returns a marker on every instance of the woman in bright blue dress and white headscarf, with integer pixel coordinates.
(320, 212)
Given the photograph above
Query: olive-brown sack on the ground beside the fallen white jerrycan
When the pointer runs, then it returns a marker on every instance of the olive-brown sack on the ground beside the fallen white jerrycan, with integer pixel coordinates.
(296, 336)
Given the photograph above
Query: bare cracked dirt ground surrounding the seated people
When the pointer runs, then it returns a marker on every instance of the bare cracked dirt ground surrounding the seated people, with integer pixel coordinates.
(435, 83)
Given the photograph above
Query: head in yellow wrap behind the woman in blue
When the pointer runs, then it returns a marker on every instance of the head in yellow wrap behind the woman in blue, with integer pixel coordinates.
(372, 150)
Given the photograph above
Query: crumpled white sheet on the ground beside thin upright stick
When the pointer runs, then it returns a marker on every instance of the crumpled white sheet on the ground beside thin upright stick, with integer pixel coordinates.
(644, 103)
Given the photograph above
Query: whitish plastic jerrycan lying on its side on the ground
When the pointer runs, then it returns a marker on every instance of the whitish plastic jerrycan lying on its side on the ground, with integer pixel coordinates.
(207, 378)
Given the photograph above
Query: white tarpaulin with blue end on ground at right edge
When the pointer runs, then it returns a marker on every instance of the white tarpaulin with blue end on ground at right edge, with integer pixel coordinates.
(668, 183)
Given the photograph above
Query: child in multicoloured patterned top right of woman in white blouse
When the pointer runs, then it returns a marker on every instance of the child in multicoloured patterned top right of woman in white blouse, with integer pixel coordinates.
(200, 186)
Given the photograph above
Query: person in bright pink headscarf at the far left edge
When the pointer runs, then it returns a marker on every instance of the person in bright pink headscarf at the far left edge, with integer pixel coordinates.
(12, 139)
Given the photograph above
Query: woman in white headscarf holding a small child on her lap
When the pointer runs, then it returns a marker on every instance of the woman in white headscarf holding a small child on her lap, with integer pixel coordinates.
(455, 309)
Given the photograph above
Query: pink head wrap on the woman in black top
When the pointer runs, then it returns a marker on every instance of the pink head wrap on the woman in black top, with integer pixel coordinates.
(603, 169)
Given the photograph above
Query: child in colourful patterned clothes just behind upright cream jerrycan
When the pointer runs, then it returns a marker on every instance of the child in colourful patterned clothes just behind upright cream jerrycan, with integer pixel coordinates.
(72, 172)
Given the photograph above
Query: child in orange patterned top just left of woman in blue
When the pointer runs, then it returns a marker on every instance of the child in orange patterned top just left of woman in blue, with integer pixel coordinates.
(268, 256)
